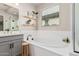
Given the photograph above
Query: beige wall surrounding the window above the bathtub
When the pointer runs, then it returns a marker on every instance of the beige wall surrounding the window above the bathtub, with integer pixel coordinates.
(65, 16)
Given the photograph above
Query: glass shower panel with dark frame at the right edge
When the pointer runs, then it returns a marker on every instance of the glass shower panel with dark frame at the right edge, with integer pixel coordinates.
(76, 41)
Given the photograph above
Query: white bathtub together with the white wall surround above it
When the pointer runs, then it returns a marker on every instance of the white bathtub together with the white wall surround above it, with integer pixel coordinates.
(49, 43)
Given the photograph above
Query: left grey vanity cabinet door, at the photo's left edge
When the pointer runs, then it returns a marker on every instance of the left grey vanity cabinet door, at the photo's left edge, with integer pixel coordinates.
(5, 49)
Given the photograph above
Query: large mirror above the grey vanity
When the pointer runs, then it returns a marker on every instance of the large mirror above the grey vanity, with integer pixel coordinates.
(8, 18)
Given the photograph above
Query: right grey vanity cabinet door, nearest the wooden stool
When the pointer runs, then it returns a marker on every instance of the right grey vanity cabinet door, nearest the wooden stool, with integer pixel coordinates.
(16, 47)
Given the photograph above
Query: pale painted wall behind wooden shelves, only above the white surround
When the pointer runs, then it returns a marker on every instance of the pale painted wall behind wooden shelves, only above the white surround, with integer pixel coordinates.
(23, 9)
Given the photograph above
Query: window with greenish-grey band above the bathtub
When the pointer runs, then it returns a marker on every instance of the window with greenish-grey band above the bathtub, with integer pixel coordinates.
(50, 16)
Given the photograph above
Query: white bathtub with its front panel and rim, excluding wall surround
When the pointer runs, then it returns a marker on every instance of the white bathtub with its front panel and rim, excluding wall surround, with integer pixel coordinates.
(41, 49)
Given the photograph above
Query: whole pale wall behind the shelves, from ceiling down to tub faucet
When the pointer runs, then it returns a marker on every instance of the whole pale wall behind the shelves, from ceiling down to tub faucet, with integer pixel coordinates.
(23, 9)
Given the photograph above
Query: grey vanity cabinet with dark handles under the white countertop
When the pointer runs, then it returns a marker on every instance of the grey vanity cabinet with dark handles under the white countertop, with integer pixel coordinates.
(11, 47)
